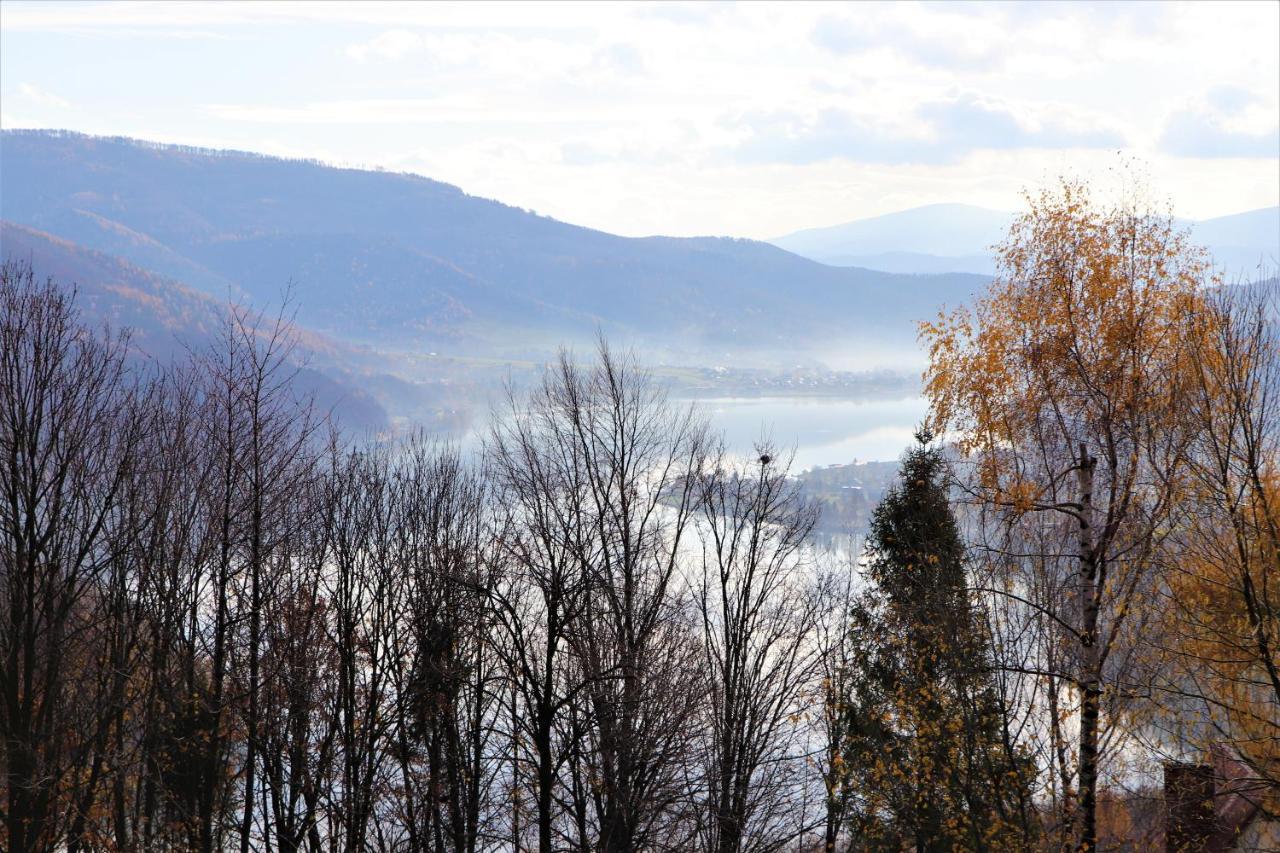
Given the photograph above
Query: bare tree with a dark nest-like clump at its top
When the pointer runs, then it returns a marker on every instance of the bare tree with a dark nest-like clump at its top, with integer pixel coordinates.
(760, 612)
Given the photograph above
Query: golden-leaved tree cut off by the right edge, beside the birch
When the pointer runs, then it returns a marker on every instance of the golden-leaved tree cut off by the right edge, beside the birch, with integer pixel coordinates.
(1224, 585)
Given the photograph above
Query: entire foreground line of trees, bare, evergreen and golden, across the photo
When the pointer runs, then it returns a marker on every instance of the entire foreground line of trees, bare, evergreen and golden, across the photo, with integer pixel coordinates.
(226, 626)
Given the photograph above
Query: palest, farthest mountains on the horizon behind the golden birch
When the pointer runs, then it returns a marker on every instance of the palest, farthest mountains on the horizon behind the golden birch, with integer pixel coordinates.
(940, 239)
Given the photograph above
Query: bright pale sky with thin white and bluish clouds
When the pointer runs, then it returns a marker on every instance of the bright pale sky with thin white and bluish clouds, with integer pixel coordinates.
(748, 120)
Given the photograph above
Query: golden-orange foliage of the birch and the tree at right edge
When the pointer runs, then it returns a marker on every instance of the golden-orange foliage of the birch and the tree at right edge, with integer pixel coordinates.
(1108, 331)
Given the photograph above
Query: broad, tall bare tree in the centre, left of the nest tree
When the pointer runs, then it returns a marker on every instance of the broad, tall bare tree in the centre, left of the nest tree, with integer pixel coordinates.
(597, 476)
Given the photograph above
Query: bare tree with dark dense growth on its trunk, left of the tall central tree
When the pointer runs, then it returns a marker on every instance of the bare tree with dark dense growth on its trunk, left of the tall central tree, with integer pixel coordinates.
(447, 688)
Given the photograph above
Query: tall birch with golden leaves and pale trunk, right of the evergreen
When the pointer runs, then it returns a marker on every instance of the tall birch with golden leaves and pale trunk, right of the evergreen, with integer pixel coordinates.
(1066, 390)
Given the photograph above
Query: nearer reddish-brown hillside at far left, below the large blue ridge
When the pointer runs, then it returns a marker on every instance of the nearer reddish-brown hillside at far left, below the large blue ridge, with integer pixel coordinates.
(168, 320)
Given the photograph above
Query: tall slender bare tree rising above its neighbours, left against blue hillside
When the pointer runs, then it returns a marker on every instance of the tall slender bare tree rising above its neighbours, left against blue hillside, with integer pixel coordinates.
(260, 436)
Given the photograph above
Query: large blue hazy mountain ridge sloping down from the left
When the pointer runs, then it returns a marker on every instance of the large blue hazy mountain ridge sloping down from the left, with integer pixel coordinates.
(406, 262)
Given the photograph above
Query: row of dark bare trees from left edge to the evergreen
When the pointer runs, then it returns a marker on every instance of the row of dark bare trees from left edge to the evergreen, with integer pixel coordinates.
(225, 627)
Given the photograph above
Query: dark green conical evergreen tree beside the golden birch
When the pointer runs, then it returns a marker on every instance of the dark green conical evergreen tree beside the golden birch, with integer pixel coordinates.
(927, 758)
